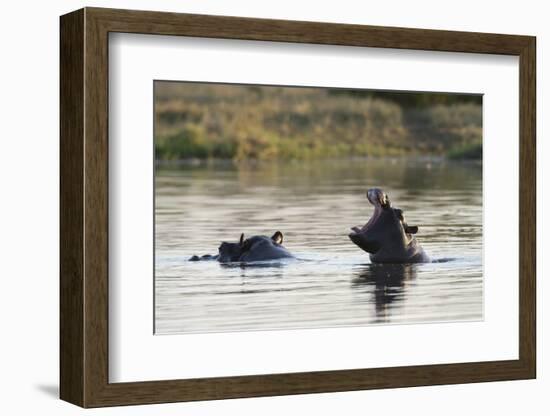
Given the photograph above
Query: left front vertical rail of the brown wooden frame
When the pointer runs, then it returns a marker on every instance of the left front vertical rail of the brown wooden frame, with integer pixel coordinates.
(96, 220)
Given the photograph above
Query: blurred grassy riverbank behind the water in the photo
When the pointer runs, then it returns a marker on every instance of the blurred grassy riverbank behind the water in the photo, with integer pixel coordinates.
(207, 121)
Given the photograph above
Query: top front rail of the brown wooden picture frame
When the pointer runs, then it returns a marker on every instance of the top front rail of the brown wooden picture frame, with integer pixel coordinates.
(226, 27)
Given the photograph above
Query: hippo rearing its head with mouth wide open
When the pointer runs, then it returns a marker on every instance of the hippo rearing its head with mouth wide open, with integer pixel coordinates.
(386, 236)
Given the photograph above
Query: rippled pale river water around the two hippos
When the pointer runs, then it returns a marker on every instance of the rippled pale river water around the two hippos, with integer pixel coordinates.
(314, 204)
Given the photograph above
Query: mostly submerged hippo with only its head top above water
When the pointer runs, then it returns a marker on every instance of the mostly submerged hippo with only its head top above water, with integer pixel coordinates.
(256, 248)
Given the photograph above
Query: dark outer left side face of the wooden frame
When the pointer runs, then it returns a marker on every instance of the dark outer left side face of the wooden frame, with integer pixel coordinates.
(71, 208)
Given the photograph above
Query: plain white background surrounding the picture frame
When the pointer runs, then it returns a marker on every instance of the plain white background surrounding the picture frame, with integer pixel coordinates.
(29, 155)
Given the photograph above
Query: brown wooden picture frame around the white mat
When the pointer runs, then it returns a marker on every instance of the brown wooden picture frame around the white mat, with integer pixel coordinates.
(84, 207)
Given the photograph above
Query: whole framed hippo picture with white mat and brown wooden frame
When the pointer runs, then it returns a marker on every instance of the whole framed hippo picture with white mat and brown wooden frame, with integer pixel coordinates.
(255, 207)
